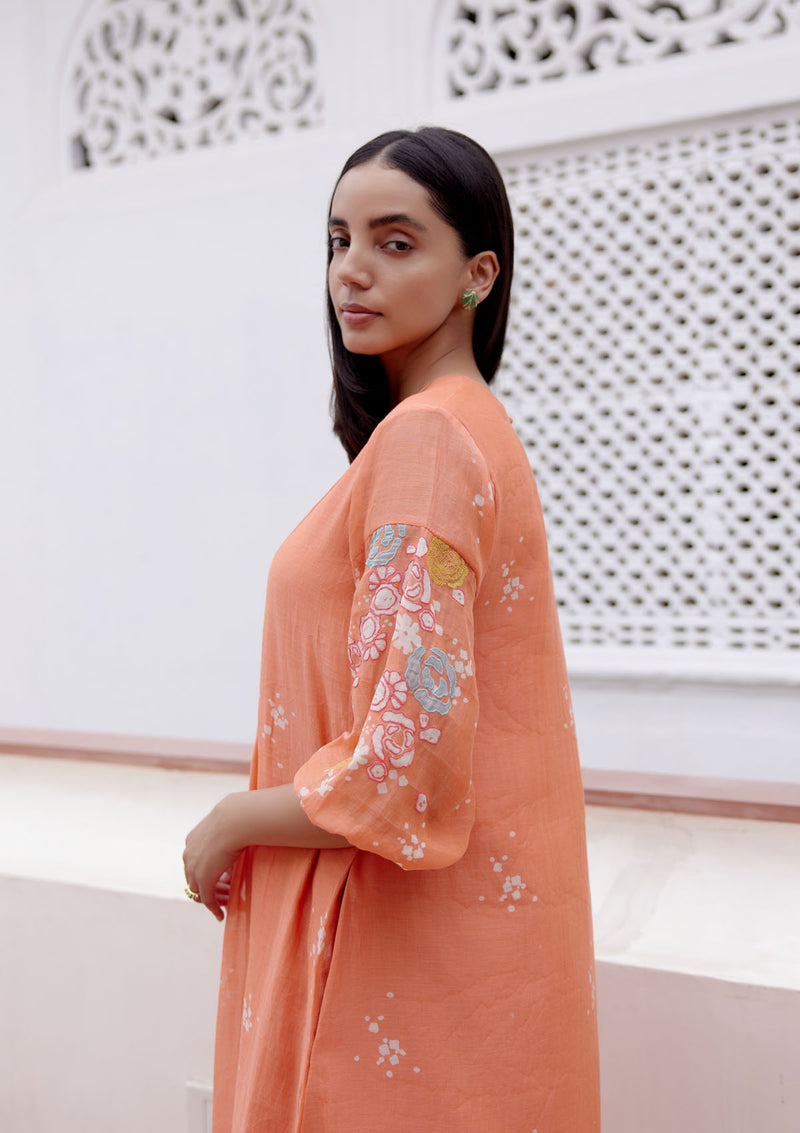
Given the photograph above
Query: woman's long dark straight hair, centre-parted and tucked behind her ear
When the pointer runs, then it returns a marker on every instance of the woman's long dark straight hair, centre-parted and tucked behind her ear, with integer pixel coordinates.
(467, 192)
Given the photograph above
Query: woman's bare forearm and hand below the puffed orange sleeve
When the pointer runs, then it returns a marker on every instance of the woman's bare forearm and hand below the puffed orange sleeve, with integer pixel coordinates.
(271, 816)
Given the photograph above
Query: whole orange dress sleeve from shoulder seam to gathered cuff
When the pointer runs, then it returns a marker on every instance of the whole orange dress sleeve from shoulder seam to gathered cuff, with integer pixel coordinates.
(399, 782)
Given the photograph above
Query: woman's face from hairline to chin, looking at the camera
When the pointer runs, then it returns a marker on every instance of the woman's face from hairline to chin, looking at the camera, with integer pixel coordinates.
(397, 270)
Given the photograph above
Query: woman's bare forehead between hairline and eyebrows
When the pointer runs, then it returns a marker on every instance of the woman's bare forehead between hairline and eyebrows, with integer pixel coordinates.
(372, 191)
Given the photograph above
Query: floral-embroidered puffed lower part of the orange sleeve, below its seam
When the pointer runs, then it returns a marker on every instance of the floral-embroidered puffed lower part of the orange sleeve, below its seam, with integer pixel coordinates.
(399, 783)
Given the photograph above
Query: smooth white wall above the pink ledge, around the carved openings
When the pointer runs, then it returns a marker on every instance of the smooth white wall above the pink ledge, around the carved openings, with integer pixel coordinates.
(164, 390)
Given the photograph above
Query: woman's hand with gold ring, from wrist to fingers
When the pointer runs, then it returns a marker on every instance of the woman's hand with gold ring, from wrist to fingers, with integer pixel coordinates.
(211, 850)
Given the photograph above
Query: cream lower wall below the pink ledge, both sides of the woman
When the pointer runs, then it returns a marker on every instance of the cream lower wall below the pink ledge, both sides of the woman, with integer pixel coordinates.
(109, 976)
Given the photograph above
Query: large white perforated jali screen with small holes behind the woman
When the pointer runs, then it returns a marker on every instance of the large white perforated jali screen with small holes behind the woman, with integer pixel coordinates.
(653, 371)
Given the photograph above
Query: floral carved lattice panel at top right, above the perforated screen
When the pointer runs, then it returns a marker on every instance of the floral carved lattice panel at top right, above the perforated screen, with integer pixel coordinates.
(490, 46)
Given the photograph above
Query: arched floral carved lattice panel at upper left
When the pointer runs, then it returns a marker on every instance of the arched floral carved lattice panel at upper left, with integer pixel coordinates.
(150, 78)
